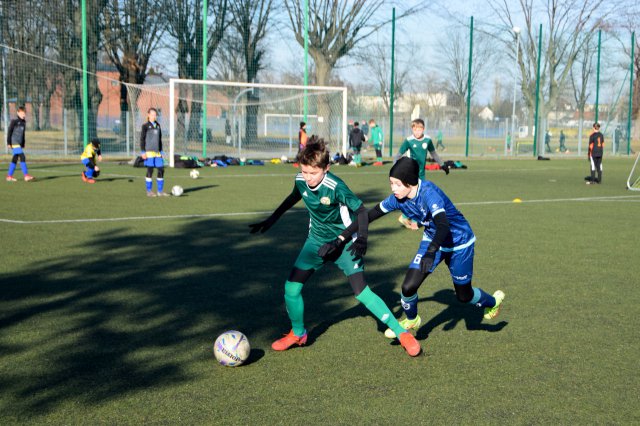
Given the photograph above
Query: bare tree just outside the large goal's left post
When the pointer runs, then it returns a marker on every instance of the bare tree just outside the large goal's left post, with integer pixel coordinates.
(132, 30)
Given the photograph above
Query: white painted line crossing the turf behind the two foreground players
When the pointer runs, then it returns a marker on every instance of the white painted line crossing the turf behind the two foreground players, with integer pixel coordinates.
(618, 198)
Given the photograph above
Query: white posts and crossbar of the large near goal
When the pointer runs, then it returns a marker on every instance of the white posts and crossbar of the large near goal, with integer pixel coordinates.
(305, 89)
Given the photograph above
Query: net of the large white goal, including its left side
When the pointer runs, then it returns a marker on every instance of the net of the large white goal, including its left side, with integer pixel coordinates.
(250, 120)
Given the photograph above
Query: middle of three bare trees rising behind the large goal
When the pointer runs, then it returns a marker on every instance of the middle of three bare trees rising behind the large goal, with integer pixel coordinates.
(250, 19)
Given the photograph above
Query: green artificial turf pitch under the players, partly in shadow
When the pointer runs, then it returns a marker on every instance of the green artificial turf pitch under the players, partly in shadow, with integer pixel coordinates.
(111, 301)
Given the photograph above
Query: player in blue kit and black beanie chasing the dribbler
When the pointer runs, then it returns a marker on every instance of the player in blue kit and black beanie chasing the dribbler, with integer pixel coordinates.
(447, 237)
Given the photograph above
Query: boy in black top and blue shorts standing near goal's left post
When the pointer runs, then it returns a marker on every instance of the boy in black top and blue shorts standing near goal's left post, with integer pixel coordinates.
(151, 152)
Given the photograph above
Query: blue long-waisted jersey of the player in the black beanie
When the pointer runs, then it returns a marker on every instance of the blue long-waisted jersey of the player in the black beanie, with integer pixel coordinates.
(429, 202)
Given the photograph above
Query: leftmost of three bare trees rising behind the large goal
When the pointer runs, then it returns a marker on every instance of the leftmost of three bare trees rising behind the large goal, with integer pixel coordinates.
(184, 24)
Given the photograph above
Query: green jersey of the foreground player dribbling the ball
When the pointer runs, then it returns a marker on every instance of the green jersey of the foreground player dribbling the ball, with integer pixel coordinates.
(331, 206)
